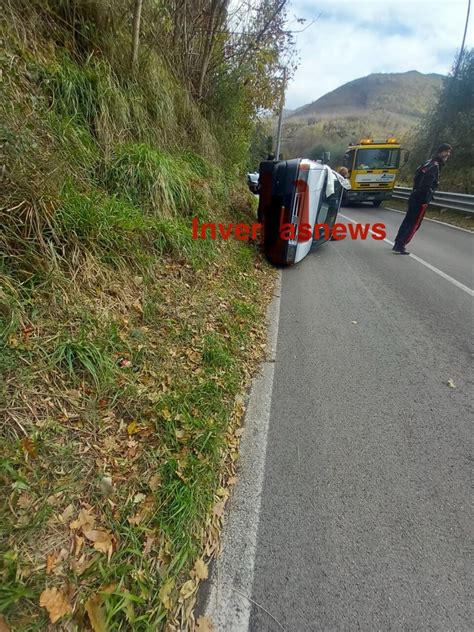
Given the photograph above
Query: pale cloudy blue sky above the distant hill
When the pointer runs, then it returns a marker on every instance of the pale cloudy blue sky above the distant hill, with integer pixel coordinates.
(352, 39)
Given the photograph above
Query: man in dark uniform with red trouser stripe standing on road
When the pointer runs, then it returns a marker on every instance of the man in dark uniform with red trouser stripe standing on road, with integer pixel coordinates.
(424, 186)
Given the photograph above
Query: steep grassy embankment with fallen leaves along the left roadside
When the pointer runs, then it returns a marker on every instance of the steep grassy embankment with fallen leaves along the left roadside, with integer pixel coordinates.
(125, 345)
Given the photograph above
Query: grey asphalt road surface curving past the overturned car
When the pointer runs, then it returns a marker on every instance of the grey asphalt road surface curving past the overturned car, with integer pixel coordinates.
(365, 519)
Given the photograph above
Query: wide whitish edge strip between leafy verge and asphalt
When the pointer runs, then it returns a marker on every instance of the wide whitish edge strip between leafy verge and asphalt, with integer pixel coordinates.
(228, 608)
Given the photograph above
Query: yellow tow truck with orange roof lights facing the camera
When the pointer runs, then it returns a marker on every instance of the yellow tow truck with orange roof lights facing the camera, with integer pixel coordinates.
(373, 167)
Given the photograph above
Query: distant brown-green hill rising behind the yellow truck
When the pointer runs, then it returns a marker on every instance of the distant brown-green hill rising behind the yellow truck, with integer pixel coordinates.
(378, 104)
